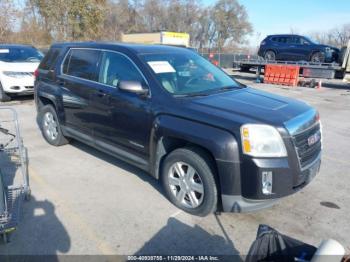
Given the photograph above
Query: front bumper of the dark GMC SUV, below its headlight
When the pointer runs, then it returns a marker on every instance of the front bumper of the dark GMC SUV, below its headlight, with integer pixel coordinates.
(285, 182)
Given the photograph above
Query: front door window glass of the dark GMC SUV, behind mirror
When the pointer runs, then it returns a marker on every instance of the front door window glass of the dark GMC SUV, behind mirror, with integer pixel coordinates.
(116, 67)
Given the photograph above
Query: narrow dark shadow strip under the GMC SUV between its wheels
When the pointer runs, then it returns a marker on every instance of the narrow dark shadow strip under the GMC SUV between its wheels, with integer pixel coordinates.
(119, 163)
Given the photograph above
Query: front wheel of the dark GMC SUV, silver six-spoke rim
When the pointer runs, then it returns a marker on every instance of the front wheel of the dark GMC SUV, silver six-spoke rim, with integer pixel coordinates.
(195, 190)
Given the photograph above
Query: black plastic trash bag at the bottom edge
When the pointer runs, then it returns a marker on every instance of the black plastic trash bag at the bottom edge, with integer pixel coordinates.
(270, 245)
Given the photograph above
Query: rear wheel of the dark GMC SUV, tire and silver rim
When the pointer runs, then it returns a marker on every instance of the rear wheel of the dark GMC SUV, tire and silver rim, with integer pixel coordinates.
(50, 126)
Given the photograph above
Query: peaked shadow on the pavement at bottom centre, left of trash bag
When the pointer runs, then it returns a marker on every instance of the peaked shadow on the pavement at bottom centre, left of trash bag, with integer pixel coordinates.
(178, 238)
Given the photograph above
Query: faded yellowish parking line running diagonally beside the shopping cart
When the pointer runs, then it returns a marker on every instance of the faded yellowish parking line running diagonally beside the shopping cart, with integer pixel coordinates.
(104, 247)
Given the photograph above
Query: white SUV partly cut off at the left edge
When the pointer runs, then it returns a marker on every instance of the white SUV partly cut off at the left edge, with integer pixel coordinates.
(17, 66)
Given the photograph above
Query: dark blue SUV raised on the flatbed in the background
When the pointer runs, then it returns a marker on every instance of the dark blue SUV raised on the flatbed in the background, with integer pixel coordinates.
(296, 48)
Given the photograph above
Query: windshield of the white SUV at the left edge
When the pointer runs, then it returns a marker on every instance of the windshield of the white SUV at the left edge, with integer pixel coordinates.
(20, 54)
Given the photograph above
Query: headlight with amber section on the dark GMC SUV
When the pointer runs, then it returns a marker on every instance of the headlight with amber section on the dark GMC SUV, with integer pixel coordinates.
(262, 141)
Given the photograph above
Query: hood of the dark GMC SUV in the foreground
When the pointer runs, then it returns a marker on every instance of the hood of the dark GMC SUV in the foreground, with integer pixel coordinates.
(249, 105)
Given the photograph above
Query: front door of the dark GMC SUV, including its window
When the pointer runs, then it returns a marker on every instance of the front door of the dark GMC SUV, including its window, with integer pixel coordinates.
(126, 116)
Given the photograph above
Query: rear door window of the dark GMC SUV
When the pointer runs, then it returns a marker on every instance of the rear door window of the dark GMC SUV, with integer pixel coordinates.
(82, 63)
